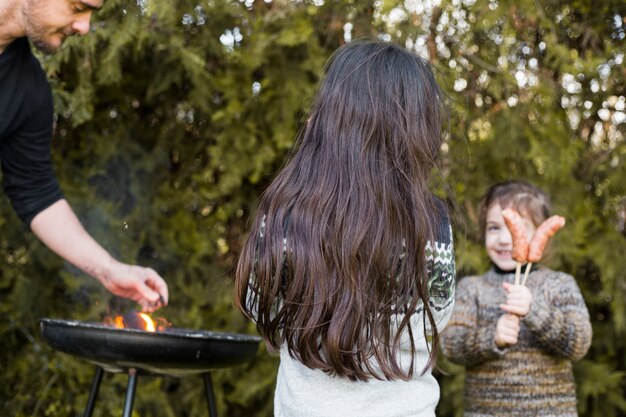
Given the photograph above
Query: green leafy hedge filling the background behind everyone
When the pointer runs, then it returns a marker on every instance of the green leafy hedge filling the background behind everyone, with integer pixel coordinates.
(173, 117)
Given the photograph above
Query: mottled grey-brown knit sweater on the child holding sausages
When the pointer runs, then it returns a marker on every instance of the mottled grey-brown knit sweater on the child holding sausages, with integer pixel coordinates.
(533, 377)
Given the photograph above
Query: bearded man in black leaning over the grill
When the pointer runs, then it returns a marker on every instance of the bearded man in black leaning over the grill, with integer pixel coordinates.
(26, 117)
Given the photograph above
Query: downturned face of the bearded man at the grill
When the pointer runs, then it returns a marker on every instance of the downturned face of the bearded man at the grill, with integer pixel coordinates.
(49, 22)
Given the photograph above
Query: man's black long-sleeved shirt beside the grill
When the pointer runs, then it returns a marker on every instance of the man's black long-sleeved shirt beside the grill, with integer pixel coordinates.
(26, 117)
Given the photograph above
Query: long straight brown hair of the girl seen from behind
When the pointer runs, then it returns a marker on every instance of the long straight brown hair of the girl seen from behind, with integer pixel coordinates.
(337, 248)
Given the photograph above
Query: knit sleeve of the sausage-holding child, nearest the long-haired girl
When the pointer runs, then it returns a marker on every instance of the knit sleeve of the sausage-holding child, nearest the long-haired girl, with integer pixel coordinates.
(463, 341)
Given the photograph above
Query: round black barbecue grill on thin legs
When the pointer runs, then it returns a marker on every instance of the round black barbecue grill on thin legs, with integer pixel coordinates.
(174, 352)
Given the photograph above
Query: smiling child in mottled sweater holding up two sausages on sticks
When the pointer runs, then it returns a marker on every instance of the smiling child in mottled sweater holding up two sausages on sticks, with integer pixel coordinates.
(517, 342)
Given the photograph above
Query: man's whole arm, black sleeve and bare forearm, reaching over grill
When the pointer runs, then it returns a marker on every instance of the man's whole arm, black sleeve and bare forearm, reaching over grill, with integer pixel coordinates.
(29, 181)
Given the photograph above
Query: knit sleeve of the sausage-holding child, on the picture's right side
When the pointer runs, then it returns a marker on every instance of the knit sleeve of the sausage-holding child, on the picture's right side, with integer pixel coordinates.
(559, 319)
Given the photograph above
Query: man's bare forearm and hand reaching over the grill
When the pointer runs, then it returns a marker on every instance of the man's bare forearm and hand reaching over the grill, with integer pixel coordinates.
(58, 228)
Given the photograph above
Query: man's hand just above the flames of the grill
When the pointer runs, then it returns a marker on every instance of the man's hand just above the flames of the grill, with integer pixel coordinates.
(137, 283)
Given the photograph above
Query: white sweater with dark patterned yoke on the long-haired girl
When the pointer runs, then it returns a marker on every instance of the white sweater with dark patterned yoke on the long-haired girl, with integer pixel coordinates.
(305, 392)
